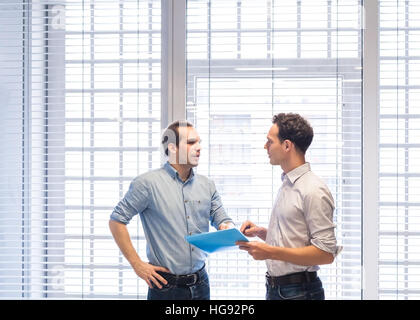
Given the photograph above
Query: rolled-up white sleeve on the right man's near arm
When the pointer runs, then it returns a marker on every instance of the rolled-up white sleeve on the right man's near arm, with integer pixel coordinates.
(319, 208)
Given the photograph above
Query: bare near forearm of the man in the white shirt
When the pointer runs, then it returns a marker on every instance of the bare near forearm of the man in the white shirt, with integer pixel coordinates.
(305, 256)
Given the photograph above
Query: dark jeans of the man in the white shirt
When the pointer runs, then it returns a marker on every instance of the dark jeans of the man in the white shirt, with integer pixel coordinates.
(302, 291)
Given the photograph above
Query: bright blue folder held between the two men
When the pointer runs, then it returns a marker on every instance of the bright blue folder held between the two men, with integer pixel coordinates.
(218, 240)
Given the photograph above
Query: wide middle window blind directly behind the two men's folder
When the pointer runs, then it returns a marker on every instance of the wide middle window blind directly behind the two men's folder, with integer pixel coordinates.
(248, 60)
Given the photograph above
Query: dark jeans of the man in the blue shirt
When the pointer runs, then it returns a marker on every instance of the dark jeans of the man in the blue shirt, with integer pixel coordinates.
(198, 291)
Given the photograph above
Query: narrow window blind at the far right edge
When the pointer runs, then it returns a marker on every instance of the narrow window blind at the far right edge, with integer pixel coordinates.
(399, 150)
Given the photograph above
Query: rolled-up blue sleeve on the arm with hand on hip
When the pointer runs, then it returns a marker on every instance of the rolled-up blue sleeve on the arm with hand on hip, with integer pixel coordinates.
(135, 201)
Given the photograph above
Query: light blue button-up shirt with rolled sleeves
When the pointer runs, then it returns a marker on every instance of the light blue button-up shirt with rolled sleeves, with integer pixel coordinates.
(169, 210)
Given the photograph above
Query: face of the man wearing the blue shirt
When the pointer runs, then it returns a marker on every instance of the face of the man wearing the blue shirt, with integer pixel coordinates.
(189, 148)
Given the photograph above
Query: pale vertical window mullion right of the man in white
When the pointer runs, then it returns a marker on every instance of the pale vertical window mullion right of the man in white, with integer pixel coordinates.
(370, 151)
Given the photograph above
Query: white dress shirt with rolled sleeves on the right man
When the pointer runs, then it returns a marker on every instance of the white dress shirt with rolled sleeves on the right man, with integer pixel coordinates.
(302, 215)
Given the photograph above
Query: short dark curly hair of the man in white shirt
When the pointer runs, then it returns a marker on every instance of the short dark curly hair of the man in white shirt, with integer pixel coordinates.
(295, 128)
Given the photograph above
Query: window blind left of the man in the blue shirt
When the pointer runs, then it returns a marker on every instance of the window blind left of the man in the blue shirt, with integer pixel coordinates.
(80, 118)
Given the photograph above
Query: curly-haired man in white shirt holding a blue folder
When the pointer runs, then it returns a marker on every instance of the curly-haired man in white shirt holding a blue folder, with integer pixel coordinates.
(300, 235)
